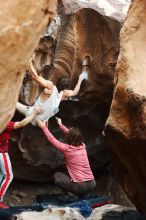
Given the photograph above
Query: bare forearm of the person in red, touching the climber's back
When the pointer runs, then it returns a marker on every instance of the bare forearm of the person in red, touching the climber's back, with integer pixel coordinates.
(25, 121)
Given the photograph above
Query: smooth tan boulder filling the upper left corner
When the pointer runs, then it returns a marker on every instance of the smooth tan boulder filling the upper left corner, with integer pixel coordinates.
(21, 23)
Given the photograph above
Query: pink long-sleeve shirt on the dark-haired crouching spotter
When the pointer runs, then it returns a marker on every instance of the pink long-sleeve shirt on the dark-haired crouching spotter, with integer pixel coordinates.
(75, 157)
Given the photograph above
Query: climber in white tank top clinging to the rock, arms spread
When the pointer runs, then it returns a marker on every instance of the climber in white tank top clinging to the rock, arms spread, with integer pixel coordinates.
(49, 99)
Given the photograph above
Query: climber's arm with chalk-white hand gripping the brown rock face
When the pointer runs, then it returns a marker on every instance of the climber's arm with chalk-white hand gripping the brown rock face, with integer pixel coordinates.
(67, 93)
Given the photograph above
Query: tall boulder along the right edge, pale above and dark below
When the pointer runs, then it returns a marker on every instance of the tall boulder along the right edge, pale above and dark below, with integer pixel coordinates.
(126, 125)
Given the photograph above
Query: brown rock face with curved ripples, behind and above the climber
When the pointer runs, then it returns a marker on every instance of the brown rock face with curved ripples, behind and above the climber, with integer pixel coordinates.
(88, 33)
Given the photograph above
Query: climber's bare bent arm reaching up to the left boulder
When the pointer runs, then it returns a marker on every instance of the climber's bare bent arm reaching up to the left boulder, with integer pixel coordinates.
(43, 82)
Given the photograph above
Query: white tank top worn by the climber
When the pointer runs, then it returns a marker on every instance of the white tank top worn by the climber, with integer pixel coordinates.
(50, 107)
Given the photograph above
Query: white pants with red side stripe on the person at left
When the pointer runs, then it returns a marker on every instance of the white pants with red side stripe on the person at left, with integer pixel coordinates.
(6, 172)
